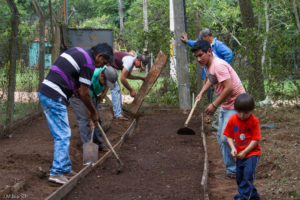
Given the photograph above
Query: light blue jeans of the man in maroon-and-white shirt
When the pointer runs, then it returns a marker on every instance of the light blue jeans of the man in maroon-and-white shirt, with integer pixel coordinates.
(116, 99)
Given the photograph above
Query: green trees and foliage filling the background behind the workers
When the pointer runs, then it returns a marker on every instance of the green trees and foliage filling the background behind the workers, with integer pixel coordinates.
(277, 35)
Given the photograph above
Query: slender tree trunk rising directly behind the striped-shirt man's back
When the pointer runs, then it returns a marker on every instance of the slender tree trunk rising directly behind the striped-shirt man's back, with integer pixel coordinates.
(39, 11)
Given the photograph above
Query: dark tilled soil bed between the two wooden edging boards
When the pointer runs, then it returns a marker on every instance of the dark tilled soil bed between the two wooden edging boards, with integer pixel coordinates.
(159, 164)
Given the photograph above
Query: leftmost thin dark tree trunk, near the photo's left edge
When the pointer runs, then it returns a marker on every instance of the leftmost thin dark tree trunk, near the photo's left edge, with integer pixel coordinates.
(13, 52)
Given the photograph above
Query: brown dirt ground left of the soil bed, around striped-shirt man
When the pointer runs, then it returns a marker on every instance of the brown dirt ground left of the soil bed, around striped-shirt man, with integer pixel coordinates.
(27, 155)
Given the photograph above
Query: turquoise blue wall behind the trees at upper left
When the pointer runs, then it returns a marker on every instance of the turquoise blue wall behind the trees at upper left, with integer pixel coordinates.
(34, 52)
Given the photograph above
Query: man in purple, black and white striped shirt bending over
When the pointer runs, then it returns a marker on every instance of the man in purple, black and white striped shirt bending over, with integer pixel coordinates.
(70, 74)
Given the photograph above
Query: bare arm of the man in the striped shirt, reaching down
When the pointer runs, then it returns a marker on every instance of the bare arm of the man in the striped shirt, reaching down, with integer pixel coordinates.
(84, 95)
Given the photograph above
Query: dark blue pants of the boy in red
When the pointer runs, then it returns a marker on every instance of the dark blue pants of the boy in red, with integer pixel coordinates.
(245, 174)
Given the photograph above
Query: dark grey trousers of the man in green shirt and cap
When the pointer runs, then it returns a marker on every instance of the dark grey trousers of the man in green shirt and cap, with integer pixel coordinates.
(83, 120)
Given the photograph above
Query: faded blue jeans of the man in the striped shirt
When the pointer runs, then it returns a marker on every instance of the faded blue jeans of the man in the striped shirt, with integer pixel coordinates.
(57, 118)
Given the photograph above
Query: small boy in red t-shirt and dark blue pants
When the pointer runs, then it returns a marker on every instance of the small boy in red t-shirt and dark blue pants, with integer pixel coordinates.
(243, 135)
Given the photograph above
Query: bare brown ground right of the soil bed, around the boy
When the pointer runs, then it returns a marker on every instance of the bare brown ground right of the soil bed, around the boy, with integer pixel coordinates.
(278, 174)
